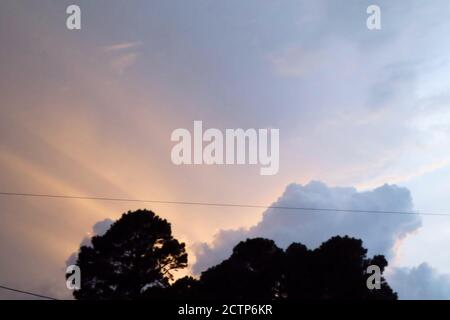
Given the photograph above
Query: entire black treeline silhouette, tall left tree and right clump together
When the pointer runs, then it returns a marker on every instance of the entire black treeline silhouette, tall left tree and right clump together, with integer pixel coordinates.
(136, 257)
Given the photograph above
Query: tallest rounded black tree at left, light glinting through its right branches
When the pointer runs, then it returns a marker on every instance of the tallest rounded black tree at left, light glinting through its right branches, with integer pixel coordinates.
(133, 258)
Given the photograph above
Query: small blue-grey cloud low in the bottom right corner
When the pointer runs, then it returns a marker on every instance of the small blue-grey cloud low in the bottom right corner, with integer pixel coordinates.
(419, 283)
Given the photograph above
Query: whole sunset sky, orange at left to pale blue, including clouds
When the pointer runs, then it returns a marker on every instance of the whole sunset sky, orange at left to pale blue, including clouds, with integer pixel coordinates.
(363, 115)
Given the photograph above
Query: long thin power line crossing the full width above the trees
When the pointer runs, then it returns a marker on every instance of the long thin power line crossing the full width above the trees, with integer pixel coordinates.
(219, 204)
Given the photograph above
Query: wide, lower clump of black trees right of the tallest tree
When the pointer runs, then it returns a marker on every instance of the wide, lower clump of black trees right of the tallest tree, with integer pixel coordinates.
(258, 269)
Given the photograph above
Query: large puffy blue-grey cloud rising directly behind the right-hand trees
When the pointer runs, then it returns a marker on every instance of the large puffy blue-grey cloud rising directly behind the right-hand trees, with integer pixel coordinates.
(380, 232)
